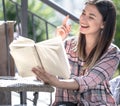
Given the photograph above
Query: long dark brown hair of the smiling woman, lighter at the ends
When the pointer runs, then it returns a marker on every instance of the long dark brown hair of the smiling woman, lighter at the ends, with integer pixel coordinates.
(108, 12)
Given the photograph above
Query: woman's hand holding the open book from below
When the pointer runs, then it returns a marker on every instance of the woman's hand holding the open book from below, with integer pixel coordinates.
(44, 76)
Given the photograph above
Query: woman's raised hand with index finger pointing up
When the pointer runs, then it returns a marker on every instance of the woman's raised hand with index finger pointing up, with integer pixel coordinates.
(64, 29)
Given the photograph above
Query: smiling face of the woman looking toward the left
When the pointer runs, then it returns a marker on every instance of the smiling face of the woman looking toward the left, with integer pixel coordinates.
(91, 21)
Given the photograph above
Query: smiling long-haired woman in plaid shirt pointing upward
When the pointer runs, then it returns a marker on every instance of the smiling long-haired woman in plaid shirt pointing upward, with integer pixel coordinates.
(92, 56)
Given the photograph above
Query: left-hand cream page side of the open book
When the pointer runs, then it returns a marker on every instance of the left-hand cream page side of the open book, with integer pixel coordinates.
(25, 56)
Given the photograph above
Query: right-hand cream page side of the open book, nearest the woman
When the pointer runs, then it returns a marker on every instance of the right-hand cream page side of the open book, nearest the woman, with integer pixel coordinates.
(53, 57)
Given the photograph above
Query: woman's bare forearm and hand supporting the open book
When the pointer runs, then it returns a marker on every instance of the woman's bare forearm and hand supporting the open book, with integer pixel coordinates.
(53, 80)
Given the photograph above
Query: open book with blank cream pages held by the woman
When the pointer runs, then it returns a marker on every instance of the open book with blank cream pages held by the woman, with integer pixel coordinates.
(49, 53)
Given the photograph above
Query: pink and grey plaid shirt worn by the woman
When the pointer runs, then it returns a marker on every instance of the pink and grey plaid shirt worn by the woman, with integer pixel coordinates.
(94, 85)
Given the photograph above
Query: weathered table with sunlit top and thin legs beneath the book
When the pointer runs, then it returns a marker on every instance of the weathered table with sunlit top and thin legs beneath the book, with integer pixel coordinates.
(22, 85)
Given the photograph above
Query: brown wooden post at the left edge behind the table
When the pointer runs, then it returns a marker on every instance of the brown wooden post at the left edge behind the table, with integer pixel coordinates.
(5, 58)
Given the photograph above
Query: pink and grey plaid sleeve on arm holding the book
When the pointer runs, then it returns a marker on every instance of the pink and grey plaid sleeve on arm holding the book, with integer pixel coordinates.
(103, 70)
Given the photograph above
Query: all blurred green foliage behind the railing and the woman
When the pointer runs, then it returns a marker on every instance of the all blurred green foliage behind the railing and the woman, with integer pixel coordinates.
(49, 14)
